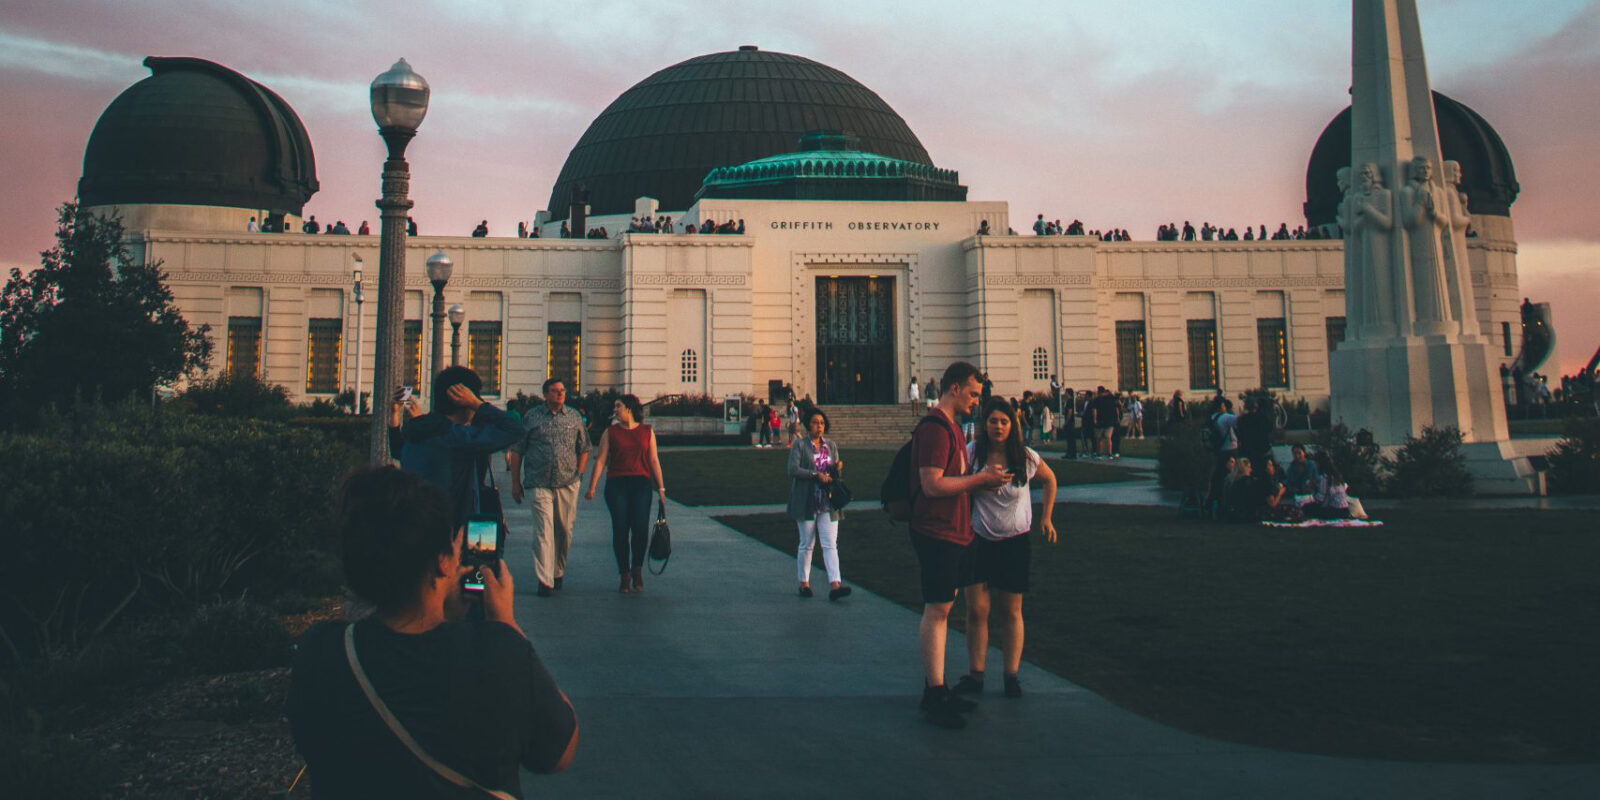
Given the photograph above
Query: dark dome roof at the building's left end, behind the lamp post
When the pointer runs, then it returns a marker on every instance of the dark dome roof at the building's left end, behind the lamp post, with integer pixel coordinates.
(199, 134)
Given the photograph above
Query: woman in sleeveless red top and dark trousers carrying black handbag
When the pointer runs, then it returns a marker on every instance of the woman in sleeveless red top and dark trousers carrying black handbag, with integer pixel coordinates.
(628, 457)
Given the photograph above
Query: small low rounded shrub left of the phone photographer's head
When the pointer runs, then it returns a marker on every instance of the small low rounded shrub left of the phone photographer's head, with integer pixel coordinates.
(236, 636)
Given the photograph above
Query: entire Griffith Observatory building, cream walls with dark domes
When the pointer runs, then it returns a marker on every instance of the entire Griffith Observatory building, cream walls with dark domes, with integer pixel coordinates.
(862, 265)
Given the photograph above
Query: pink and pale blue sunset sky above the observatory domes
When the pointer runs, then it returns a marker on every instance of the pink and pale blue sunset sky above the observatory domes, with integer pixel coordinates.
(1122, 114)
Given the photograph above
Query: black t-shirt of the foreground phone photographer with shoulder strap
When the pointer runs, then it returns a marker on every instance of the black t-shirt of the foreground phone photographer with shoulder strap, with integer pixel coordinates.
(473, 695)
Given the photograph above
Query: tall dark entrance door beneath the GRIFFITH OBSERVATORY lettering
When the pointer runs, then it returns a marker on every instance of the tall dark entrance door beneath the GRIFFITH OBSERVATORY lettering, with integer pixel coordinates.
(855, 342)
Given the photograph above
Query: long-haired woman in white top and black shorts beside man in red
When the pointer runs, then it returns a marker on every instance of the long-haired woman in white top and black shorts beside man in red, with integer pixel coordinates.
(1002, 521)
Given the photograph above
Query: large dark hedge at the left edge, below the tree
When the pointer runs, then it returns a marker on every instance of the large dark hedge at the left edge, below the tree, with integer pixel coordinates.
(153, 510)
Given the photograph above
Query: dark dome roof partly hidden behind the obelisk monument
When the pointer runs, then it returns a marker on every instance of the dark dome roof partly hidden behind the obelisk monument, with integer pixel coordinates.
(1487, 174)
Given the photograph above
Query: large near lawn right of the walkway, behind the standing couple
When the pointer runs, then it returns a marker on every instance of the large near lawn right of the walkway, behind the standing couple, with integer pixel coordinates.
(1444, 636)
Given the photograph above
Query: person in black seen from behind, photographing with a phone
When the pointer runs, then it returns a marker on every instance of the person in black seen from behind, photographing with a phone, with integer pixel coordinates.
(417, 702)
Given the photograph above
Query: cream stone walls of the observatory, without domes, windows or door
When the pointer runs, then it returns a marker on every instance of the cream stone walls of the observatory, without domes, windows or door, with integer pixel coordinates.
(726, 314)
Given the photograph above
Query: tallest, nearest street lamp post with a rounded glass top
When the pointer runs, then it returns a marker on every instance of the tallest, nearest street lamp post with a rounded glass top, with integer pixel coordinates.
(399, 102)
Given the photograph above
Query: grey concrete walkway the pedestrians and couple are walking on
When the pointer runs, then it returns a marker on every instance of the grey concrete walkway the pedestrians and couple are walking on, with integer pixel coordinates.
(721, 684)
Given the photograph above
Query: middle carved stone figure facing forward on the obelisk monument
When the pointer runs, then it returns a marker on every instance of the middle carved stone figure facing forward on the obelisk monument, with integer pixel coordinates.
(1425, 210)
